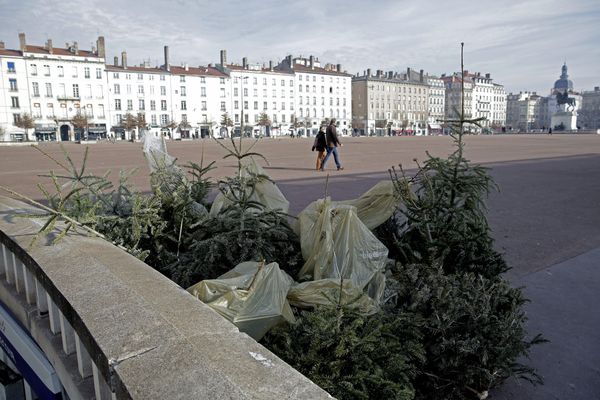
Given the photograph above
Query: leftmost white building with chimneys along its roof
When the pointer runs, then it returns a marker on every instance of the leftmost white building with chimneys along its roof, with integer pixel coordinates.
(53, 85)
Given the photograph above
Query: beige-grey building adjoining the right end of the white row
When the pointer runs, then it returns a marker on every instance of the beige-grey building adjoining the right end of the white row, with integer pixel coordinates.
(390, 103)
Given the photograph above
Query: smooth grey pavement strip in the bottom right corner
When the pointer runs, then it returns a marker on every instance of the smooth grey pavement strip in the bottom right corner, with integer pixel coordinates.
(564, 307)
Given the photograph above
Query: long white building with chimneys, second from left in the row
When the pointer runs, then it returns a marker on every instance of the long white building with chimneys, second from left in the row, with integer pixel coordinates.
(182, 102)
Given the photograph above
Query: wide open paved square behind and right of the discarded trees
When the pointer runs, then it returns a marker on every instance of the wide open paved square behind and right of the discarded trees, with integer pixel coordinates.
(545, 218)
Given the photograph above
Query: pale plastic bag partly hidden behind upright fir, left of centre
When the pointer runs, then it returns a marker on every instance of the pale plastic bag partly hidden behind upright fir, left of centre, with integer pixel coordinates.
(265, 192)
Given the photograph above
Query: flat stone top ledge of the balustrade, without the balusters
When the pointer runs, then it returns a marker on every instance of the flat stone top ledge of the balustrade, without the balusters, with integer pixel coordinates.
(147, 335)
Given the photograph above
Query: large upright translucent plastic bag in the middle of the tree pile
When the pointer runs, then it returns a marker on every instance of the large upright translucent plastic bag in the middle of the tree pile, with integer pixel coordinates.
(336, 244)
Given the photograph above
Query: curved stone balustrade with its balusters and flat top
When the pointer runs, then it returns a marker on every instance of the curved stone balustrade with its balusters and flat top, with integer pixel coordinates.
(112, 328)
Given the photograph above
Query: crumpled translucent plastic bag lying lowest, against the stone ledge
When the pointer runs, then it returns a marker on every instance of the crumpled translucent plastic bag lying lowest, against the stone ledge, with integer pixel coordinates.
(252, 296)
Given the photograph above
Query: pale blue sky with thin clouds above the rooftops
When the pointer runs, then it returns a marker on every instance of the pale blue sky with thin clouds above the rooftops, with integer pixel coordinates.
(521, 43)
